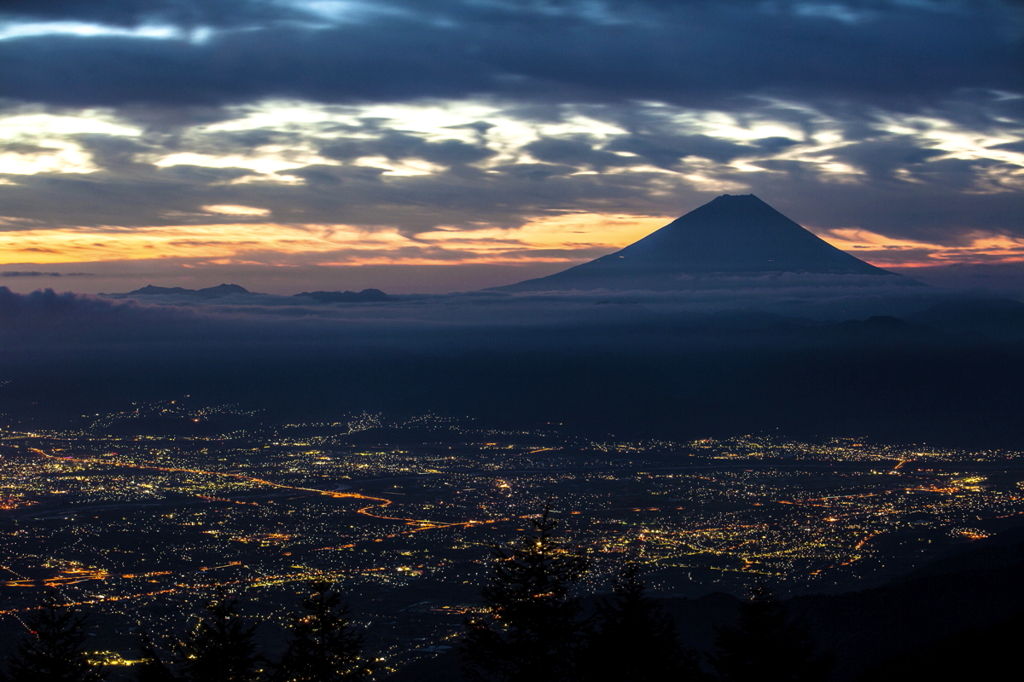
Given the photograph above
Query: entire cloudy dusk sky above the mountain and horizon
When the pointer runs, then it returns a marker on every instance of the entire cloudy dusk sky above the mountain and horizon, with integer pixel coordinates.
(293, 146)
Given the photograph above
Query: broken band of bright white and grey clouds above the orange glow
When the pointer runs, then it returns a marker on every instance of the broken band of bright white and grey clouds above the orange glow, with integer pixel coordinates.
(419, 166)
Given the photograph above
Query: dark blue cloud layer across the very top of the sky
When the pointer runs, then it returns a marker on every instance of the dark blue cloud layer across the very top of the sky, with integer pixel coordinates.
(689, 53)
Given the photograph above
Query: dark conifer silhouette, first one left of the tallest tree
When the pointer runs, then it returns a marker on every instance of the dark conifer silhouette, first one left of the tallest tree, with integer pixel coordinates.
(324, 647)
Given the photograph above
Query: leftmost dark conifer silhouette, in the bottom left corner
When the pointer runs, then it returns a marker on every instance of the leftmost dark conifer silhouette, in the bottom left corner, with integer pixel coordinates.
(53, 649)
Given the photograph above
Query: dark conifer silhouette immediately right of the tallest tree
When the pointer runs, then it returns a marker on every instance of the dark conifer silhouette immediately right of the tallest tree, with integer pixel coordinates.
(634, 638)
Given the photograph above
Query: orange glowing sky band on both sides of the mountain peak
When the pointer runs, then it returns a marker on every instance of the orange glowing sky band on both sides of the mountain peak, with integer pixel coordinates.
(566, 238)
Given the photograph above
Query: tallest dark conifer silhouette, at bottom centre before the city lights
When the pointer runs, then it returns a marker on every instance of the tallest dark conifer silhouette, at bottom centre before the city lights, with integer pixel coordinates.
(533, 631)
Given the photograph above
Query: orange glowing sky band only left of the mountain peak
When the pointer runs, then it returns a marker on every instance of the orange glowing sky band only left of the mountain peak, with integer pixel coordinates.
(275, 244)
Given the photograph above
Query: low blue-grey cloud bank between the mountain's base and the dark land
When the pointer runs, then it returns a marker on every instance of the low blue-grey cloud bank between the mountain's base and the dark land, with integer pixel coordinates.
(790, 314)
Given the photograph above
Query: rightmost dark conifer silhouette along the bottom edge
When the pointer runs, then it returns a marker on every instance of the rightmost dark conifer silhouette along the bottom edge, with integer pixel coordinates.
(767, 646)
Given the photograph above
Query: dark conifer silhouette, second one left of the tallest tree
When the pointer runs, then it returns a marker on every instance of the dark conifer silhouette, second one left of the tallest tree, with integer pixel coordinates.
(222, 647)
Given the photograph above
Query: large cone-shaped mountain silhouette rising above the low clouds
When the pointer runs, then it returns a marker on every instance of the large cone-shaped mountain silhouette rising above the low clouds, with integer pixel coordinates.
(724, 243)
